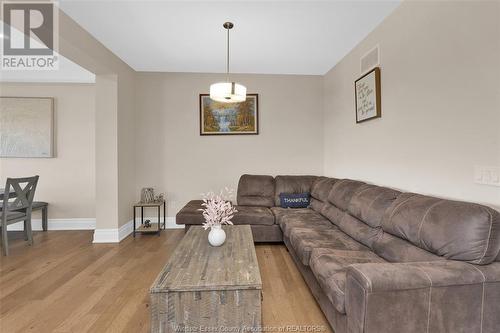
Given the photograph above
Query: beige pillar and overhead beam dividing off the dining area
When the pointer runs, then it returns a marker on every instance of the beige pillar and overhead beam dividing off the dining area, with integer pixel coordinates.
(118, 161)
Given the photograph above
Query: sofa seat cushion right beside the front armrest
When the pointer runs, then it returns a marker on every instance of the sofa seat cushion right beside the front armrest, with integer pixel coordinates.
(329, 267)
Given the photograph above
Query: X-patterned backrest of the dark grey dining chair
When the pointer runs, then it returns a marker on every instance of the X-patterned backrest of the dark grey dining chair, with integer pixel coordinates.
(24, 189)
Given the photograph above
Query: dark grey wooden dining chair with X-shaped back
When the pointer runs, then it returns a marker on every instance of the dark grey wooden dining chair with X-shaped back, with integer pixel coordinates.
(18, 208)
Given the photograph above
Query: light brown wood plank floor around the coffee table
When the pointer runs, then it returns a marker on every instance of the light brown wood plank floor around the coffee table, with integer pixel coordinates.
(64, 283)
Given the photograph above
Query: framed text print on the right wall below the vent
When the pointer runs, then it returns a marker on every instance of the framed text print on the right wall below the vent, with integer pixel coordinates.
(367, 96)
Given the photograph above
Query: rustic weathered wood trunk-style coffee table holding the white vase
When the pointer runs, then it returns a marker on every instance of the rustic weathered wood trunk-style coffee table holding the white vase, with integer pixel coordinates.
(209, 289)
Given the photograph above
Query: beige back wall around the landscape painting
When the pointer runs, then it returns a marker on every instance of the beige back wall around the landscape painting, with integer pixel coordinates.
(174, 158)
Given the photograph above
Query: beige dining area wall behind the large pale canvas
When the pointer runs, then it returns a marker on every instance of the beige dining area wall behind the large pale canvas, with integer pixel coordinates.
(67, 181)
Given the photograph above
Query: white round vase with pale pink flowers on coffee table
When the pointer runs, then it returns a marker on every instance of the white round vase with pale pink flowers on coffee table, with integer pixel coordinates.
(218, 210)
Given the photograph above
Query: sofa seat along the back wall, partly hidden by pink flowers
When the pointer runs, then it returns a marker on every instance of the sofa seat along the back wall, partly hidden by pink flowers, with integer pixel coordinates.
(190, 214)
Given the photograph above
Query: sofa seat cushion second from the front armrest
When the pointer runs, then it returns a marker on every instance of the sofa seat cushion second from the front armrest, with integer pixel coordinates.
(304, 240)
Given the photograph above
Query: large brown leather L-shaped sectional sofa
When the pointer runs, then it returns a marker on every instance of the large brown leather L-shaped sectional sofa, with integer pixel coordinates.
(380, 260)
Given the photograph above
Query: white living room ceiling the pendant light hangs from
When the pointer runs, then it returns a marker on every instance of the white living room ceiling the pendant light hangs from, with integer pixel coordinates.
(271, 37)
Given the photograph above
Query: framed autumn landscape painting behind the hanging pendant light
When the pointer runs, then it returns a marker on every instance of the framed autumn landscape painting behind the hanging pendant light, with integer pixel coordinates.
(218, 118)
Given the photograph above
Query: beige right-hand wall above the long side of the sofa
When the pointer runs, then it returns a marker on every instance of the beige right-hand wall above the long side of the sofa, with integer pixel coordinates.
(440, 102)
